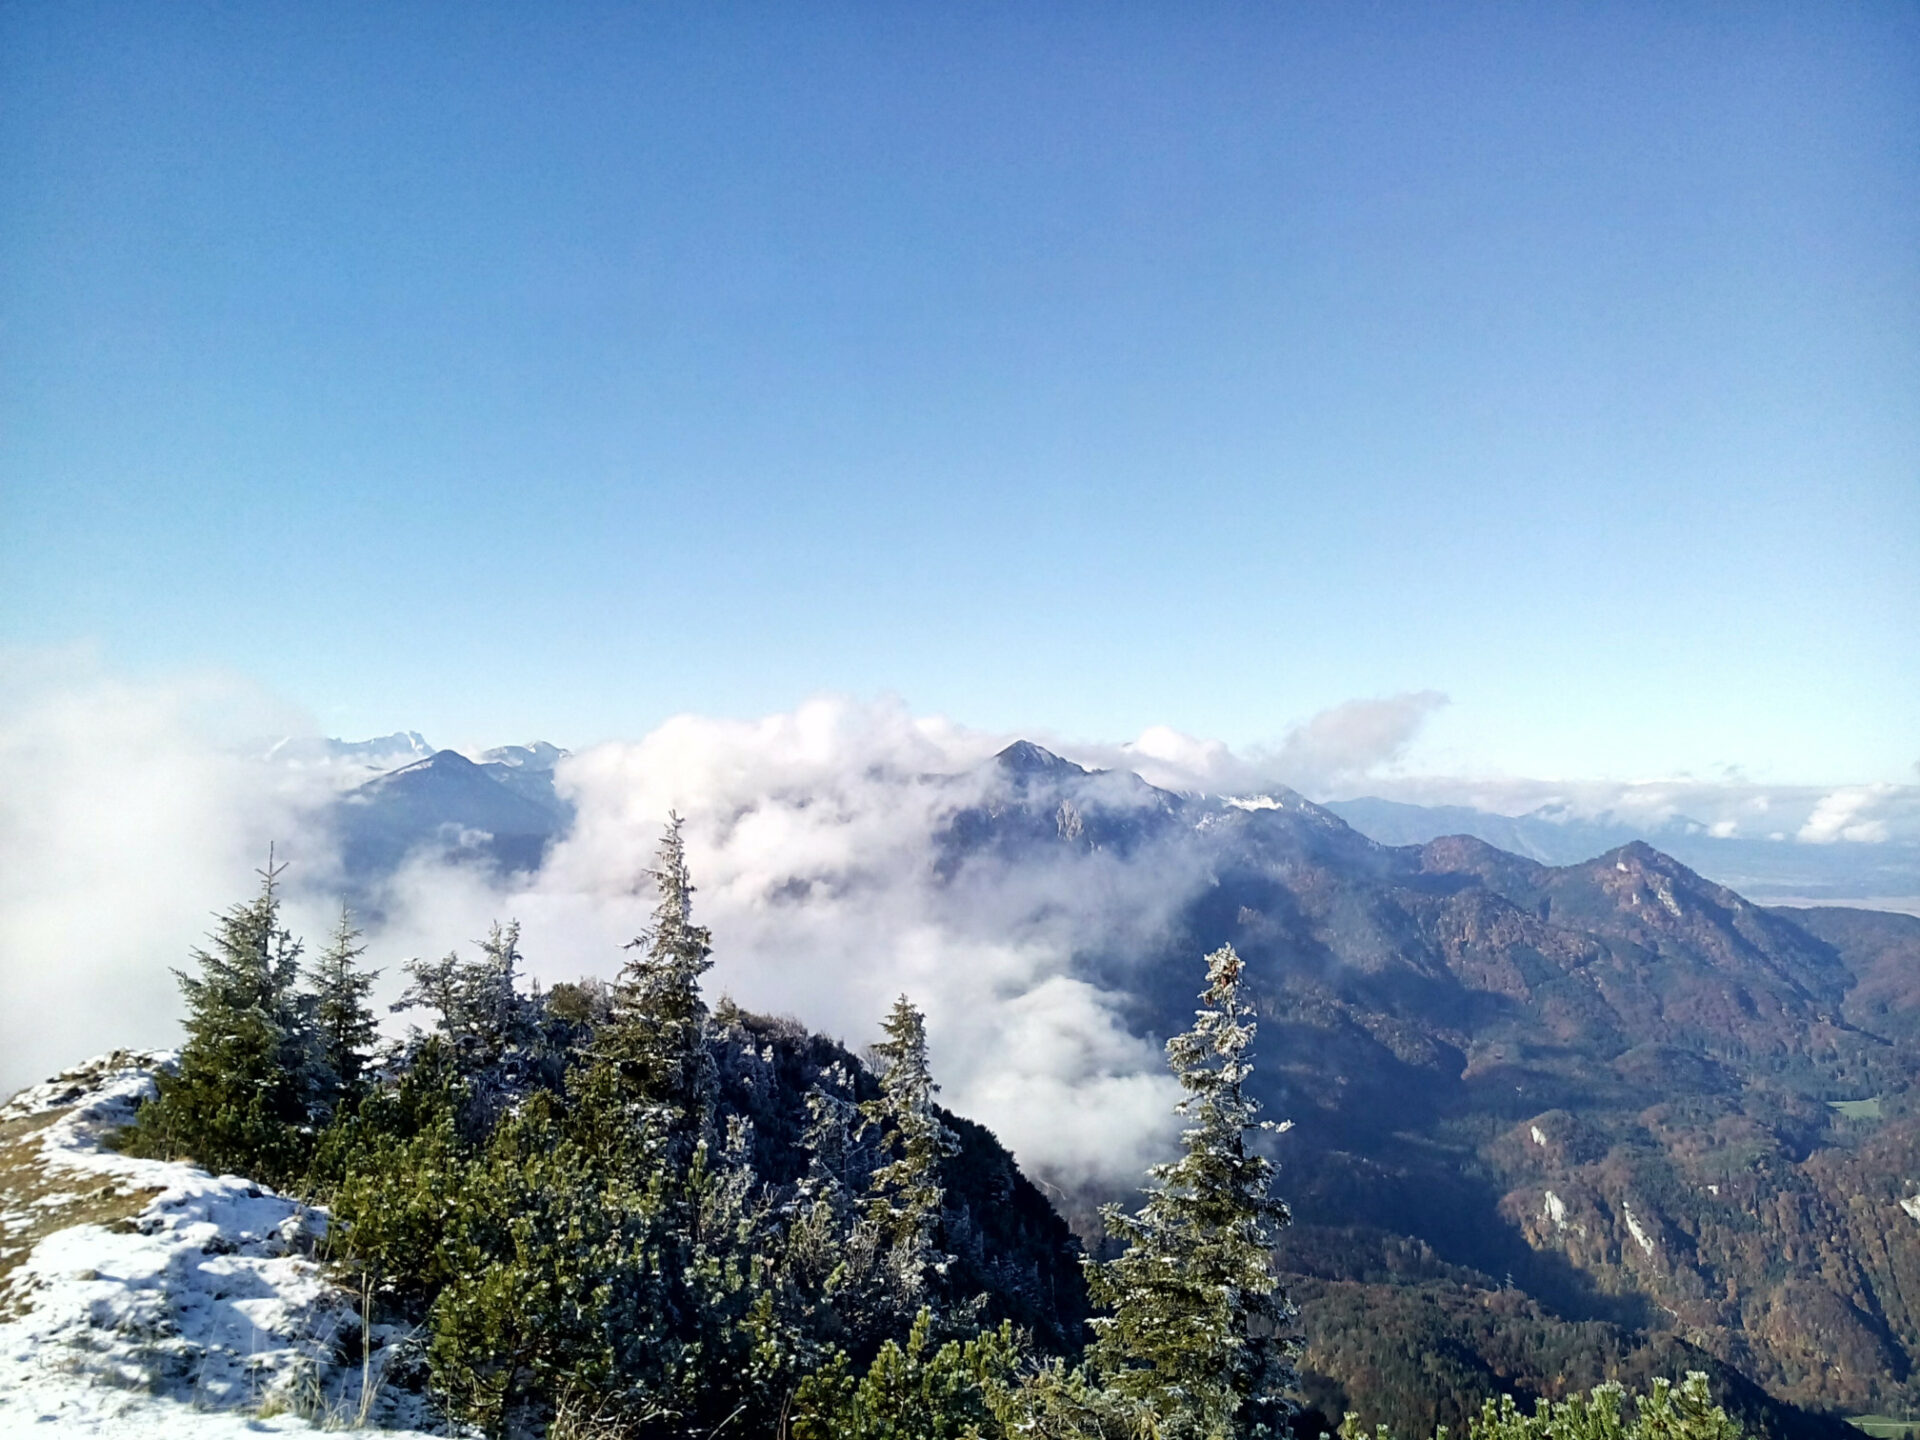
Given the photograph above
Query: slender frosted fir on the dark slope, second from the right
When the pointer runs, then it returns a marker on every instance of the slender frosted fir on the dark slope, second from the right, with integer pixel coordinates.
(905, 1193)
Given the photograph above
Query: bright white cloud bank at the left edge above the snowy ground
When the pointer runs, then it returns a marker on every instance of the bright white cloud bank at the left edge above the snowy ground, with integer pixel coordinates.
(128, 815)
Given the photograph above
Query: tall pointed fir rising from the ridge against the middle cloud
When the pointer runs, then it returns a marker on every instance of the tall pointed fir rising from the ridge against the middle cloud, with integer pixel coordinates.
(656, 1036)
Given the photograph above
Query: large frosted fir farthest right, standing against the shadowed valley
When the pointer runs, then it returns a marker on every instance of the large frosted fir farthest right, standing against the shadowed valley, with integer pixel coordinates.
(1199, 1328)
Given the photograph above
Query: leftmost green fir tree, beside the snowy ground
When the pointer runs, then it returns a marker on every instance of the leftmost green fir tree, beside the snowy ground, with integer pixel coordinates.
(241, 1095)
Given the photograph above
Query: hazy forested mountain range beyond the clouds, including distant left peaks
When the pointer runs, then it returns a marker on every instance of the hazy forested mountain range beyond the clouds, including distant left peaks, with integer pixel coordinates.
(1554, 1120)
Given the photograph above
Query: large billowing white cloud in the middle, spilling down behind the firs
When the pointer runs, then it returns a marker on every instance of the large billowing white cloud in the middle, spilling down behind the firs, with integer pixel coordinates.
(813, 842)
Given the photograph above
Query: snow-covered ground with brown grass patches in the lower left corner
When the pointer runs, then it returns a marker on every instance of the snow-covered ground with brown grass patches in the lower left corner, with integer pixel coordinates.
(153, 1301)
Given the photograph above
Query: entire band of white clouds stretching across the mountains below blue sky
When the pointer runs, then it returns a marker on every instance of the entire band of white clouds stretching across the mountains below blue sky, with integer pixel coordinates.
(135, 809)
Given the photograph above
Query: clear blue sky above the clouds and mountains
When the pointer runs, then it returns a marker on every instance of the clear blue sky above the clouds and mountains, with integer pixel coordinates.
(517, 372)
